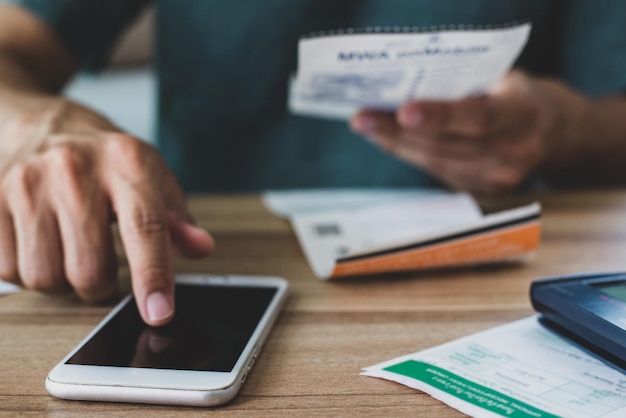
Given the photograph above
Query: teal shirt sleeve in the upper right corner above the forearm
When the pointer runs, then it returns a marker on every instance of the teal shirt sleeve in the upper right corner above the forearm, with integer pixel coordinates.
(593, 47)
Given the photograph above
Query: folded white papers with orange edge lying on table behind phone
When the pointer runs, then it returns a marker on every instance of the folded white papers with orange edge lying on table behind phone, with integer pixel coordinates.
(402, 230)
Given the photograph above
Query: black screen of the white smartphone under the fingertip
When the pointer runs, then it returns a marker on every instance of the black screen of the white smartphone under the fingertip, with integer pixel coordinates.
(210, 329)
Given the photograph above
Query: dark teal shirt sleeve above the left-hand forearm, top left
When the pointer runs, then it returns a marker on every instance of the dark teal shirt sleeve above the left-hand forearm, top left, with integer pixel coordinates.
(88, 28)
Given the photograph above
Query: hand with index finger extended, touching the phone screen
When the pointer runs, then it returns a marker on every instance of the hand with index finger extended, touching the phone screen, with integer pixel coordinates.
(65, 175)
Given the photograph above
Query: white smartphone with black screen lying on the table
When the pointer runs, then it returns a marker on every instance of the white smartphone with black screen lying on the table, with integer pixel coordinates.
(201, 358)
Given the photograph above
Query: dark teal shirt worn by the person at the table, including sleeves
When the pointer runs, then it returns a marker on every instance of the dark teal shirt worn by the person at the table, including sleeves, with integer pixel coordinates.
(223, 67)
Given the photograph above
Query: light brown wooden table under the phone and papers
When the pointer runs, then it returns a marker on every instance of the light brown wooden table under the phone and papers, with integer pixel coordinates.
(329, 331)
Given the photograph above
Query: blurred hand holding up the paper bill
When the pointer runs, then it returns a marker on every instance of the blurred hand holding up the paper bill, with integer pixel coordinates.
(485, 144)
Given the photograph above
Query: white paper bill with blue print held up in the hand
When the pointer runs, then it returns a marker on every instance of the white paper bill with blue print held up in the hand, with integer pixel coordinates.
(342, 71)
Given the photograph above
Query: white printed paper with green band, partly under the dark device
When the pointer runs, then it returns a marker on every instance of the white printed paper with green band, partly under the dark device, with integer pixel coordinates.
(516, 370)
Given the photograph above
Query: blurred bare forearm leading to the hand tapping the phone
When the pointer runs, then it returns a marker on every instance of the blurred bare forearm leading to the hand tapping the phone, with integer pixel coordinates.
(34, 67)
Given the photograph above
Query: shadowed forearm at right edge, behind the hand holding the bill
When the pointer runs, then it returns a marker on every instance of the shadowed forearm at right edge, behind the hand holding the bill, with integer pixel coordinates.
(586, 138)
